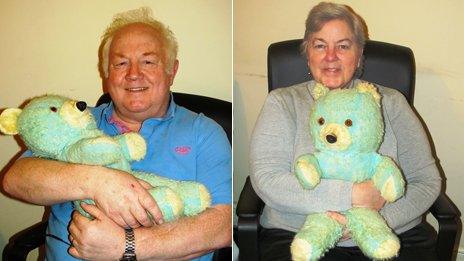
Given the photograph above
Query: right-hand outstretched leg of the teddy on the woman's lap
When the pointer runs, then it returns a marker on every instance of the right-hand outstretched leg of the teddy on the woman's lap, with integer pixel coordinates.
(371, 233)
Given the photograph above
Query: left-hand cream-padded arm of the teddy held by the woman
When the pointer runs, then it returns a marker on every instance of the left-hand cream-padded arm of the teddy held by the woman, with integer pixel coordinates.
(307, 171)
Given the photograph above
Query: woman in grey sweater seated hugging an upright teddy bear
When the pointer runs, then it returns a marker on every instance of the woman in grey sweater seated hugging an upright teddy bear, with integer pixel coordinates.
(333, 43)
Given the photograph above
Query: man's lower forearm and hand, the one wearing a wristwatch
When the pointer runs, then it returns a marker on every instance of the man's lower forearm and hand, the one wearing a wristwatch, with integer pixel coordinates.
(183, 239)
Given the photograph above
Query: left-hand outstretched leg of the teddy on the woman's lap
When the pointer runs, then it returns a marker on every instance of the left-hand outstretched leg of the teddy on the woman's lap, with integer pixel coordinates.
(318, 234)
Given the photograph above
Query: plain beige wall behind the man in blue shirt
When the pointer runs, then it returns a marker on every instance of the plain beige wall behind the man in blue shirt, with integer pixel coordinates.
(51, 47)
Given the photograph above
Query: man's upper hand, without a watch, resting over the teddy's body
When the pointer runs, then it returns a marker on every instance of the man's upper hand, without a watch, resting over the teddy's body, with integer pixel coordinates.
(124, 199)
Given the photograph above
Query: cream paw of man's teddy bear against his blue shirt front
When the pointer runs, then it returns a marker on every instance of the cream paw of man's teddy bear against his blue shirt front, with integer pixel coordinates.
(133, 145)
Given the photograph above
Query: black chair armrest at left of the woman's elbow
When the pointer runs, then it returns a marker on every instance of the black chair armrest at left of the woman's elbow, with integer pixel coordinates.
(249, 209)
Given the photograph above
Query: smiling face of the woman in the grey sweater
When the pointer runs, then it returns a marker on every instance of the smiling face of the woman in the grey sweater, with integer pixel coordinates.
(333, 55)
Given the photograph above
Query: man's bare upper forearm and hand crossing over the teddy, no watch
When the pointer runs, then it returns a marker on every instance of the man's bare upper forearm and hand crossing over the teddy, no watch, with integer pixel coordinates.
(47, 182)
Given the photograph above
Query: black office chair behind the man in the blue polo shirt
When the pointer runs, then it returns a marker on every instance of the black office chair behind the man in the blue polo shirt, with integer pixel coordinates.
(33, 237)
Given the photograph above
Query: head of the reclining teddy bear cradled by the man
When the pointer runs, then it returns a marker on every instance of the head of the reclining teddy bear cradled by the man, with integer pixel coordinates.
(48, 123)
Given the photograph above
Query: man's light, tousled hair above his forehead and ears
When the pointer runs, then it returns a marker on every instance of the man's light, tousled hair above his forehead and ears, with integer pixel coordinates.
(142, 15)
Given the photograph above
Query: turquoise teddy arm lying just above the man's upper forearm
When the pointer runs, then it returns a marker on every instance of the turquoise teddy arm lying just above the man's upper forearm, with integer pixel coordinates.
(94, 151)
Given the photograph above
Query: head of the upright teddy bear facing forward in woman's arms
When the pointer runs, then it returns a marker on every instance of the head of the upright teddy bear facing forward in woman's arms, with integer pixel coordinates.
(346, 120)
